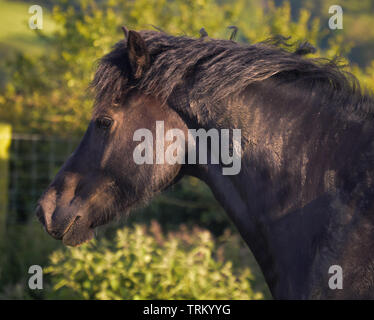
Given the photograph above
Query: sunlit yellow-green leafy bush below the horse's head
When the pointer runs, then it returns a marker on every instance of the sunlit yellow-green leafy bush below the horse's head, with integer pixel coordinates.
(143, 264)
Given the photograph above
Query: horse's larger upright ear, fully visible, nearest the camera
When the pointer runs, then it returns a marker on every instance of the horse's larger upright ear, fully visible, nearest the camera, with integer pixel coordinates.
(138, 54)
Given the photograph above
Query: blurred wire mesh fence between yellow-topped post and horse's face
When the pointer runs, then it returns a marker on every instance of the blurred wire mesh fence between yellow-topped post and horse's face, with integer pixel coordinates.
(33, 162)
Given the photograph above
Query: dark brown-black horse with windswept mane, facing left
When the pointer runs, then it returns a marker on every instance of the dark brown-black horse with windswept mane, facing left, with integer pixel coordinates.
(303, 200)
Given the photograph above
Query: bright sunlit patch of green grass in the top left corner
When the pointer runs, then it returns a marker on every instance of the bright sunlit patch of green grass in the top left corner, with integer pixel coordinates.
(15, 33)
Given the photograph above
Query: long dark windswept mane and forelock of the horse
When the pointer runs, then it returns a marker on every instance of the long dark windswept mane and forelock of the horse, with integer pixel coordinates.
(212, 70)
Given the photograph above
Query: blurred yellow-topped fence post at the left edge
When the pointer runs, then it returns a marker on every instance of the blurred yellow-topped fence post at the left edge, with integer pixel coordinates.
(5, 140)
